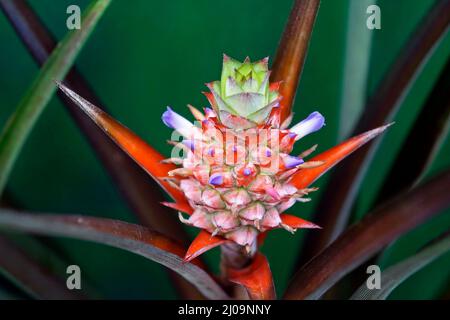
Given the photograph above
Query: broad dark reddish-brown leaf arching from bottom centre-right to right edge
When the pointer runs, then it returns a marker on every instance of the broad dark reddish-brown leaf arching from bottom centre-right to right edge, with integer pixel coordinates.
(364, 239)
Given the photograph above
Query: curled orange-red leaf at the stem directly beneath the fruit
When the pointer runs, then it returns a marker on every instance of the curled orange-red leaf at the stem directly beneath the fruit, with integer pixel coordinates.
(256, 278)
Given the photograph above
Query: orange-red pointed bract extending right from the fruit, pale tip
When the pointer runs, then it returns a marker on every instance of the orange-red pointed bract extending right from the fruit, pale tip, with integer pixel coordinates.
(304, 177)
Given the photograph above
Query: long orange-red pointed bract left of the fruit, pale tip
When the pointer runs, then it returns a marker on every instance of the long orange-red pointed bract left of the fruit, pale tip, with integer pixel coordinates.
(147, 157)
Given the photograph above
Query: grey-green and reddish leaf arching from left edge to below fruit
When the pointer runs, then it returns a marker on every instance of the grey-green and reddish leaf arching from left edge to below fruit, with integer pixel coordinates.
(130, 237)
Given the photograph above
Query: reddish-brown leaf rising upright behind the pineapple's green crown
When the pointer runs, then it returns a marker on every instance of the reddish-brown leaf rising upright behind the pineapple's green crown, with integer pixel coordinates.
(292, 51)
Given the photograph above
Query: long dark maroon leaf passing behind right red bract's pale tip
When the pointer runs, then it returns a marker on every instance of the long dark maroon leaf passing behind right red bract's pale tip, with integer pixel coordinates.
(333, 212)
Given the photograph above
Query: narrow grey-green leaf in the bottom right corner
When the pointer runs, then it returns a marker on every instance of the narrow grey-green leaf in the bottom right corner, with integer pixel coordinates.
(392, 277)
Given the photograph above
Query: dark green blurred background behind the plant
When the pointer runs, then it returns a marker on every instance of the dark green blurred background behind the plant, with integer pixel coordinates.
(145, 55)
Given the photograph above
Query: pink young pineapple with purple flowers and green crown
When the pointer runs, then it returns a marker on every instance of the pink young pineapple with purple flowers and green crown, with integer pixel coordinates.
(236, 167)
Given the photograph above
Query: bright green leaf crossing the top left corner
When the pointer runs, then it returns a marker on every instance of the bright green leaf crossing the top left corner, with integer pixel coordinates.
(42, 89)
